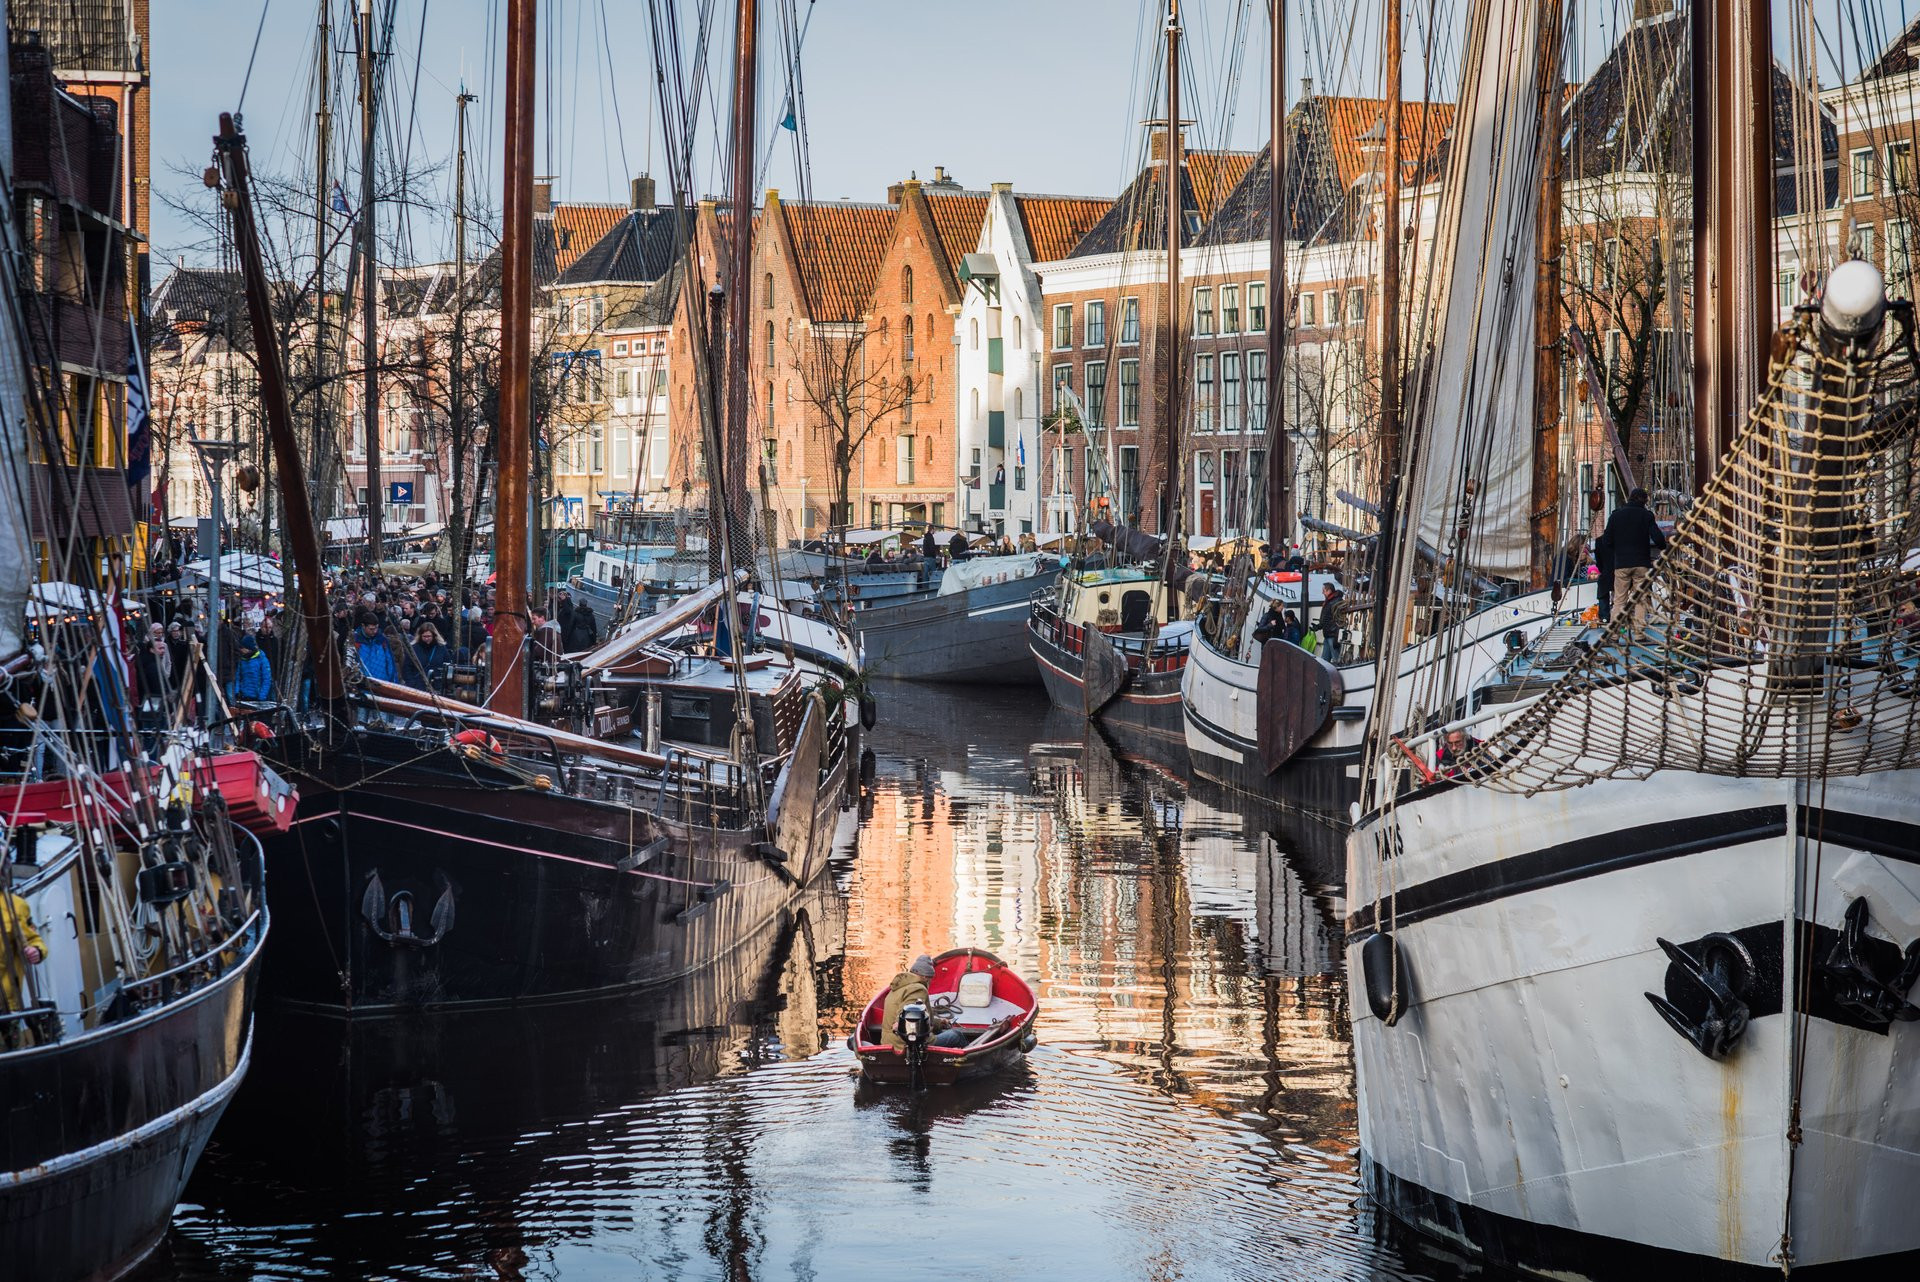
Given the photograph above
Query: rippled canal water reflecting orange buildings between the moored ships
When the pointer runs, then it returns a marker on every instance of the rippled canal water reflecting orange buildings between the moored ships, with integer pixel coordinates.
(1189, 1112)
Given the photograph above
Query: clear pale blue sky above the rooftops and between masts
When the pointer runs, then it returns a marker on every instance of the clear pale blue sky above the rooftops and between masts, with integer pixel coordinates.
(1040, 93)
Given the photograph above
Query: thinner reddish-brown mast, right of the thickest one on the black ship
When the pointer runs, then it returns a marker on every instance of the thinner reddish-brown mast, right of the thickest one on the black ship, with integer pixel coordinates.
(740, 289)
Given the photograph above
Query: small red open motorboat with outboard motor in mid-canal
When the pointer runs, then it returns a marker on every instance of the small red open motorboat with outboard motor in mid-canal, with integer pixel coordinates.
(972, 991)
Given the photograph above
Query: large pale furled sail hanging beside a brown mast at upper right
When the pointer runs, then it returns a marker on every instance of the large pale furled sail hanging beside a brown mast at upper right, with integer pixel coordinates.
(1476, 396)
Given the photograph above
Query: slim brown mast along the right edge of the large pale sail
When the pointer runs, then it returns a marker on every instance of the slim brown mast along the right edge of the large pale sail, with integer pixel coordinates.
(1547, 302)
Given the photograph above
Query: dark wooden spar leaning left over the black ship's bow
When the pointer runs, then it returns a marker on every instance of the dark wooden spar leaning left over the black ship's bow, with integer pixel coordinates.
(297, 498)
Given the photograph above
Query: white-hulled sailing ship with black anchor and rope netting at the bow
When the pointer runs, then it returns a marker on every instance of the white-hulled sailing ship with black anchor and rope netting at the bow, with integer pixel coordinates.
(1637, 953)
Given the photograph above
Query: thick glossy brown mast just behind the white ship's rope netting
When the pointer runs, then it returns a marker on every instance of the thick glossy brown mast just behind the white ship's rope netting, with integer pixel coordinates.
(1733, 218)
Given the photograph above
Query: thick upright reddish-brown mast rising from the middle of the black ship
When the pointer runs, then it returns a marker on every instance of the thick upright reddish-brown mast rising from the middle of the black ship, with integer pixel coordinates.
(516, 369)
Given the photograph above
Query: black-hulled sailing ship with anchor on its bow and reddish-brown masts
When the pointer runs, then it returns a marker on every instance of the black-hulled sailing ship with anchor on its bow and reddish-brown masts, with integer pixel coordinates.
(613, 819)
